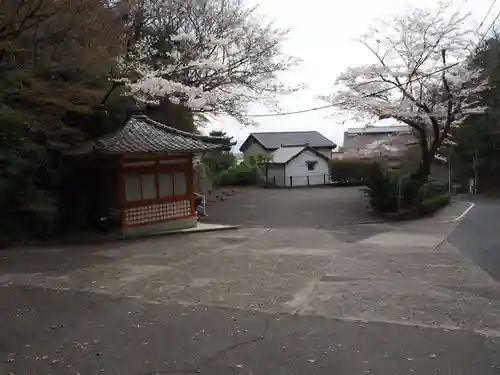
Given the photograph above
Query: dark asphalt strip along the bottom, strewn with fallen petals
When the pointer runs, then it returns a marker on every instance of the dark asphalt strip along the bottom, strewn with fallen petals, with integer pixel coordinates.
(64, 332)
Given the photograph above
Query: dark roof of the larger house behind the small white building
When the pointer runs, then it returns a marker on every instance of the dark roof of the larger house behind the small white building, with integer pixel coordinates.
(274, 140)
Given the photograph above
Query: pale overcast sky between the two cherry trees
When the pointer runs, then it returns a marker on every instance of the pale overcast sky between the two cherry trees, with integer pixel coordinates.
(323, 35)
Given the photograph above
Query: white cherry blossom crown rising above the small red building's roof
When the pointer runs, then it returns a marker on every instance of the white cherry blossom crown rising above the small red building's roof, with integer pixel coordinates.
(213, 56)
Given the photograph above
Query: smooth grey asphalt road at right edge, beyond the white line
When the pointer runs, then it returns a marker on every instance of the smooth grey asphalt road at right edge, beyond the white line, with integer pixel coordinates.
(478, 235)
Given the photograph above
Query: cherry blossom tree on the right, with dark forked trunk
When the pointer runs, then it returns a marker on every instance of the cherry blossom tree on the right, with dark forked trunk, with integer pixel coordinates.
(418, 77)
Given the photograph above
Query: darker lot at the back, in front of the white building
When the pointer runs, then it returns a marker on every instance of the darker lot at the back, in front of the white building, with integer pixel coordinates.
(321, 208)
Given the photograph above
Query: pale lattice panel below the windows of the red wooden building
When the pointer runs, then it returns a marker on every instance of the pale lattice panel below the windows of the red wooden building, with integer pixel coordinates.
(157, 212)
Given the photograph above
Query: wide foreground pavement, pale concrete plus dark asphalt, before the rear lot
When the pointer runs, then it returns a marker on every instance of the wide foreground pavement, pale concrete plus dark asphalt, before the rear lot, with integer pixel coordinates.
(349, 299)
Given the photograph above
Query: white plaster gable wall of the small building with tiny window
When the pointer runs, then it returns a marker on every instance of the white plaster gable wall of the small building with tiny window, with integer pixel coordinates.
(297, 169)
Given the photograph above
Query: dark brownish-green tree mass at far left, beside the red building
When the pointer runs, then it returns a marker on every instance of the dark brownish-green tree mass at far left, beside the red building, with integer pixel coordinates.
(55, 56)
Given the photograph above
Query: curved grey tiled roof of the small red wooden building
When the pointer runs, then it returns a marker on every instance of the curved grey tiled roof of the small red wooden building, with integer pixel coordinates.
(141, 135)
